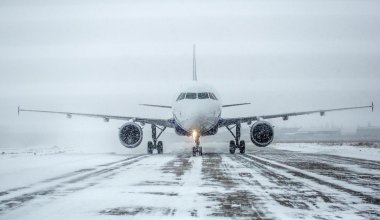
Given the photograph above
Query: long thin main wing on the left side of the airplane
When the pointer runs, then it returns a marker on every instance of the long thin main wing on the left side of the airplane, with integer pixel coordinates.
(106, 118)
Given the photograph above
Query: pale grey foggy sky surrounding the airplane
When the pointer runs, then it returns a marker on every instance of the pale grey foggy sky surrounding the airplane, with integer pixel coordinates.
(108, 56)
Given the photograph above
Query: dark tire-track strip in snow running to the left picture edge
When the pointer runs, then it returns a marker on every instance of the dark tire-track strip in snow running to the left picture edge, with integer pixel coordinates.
(63, 188)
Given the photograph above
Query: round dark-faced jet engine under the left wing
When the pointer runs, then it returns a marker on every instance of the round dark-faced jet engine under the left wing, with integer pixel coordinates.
(130, 135)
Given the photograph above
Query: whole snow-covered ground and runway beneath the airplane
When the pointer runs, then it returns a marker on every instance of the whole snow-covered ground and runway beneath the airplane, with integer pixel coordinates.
(283, 181)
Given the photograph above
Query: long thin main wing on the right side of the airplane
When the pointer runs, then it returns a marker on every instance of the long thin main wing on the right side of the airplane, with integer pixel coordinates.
(284, 116)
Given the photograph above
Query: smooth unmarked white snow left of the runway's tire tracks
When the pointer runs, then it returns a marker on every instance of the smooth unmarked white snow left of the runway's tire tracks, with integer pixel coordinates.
(32, 165)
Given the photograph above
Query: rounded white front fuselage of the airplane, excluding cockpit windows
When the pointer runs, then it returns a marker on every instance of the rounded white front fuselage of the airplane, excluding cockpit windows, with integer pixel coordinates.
(199, 115)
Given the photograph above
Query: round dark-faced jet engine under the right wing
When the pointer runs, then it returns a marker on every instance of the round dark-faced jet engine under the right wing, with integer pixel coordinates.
(262, 133)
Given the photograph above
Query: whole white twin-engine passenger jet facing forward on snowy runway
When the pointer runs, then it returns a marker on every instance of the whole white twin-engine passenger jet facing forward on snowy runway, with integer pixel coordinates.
(196, 113)
